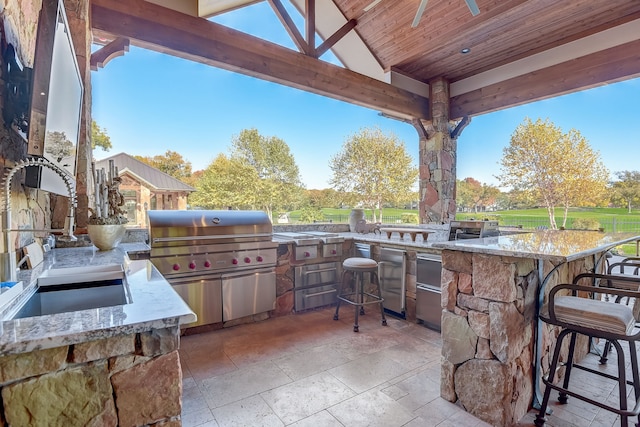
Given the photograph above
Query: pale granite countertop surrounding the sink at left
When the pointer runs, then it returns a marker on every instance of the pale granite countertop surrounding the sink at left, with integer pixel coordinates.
(155, 305)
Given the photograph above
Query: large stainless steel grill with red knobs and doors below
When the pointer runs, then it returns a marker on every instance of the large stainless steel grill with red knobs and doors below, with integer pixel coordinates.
(222, 263)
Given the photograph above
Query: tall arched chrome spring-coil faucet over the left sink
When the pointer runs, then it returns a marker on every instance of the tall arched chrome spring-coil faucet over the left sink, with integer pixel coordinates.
(8, 264)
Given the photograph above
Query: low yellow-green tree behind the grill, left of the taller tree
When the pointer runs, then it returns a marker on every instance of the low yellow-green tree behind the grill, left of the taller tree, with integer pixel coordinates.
(226, 183)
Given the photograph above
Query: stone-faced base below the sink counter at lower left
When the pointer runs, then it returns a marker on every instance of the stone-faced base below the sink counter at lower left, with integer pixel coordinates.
(129, 380)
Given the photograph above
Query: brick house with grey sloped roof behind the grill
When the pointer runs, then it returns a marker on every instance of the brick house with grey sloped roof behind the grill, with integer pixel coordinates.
(145, 187)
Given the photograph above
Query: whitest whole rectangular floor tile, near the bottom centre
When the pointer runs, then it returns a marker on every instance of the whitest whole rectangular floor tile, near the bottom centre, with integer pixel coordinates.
(302, 398)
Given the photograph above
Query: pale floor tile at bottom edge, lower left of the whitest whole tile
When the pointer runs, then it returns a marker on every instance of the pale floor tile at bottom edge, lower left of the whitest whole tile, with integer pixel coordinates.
(252, 411)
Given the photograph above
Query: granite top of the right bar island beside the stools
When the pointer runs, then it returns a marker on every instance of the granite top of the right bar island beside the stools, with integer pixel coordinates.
(552, 245)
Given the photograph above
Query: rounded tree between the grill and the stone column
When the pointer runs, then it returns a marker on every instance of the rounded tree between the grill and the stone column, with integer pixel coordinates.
(376, 168)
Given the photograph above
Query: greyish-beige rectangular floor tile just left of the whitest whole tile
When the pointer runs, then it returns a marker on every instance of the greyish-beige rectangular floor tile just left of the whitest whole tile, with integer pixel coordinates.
(238, 385)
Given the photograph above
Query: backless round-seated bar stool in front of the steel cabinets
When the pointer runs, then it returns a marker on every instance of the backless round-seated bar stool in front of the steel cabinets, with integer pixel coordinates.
(356, 295)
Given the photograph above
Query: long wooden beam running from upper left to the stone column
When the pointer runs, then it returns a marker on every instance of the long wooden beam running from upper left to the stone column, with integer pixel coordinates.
(164, 30)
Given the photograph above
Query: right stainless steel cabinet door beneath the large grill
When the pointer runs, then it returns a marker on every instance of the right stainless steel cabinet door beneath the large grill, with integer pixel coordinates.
(244, 294)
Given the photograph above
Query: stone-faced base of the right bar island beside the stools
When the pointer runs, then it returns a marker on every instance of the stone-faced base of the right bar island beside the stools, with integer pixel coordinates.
(488, 331)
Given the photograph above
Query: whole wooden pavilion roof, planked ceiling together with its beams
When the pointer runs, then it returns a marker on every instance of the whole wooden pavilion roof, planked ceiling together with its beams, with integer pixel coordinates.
(520, 50)
